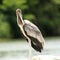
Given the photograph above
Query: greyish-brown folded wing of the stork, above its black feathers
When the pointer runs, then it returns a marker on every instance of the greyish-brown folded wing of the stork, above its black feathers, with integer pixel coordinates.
(33, 31)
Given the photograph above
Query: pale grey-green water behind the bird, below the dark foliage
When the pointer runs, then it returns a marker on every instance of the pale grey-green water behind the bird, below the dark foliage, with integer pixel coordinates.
(18, 50)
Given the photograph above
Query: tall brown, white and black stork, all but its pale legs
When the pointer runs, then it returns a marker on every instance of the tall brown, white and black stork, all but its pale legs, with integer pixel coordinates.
(31, 32)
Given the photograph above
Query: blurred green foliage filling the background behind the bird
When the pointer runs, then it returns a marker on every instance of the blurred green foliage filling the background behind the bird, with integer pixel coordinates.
(44, 13)
